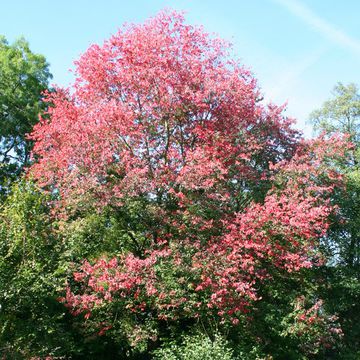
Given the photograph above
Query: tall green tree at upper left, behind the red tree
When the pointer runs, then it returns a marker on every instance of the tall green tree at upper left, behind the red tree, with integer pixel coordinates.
(23, 77)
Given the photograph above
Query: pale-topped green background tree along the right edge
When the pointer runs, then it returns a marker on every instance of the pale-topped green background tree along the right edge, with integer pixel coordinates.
(342, 244)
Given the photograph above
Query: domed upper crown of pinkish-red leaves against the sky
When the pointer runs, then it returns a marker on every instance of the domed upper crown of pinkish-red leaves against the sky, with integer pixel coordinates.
(159, 105)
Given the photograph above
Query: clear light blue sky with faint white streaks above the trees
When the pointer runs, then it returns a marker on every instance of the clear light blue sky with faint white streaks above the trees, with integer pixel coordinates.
(297, 49)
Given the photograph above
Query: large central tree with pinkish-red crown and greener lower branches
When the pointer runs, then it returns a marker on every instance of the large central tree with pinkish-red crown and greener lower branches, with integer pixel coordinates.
(216, 200)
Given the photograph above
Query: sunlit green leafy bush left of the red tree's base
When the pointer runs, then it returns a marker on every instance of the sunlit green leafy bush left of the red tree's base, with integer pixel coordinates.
(35, 259)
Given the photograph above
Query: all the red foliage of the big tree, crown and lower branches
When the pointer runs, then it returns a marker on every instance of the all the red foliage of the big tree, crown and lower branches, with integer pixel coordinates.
(161, 111)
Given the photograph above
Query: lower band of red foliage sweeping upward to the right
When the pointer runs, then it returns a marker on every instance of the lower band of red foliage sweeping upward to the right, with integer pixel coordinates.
(224, 273)
